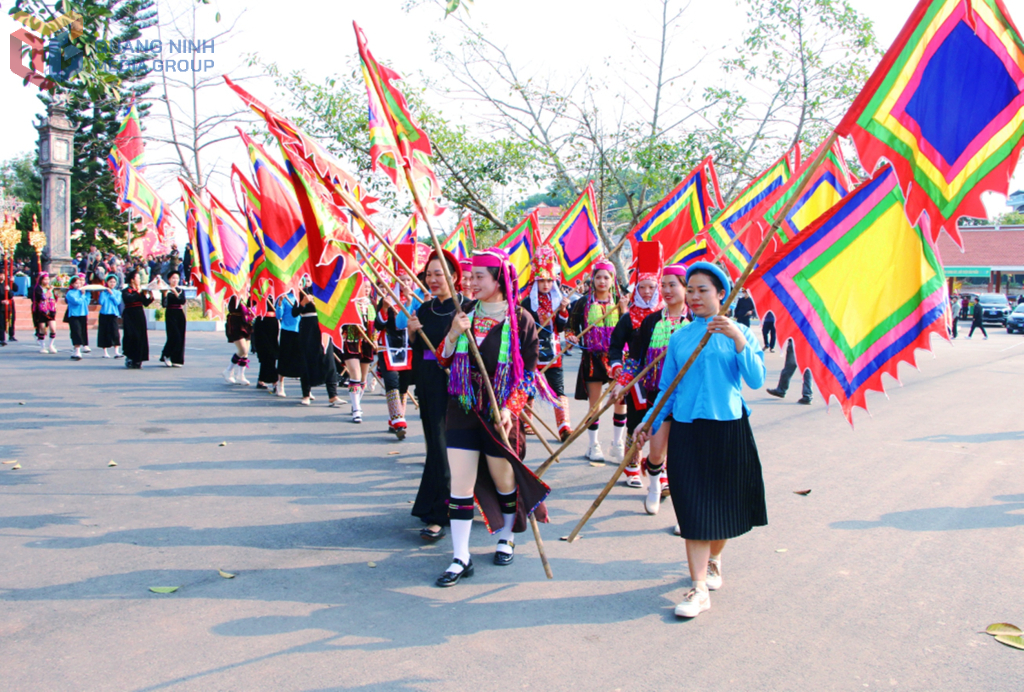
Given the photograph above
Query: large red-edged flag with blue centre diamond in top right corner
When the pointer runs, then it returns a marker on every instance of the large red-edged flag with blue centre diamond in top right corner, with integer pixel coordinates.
(946, 108)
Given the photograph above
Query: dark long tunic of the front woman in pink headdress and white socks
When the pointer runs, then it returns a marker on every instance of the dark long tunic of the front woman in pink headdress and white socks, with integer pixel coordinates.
(533, 491)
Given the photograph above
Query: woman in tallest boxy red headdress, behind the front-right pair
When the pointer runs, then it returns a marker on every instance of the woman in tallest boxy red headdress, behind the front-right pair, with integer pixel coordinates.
(647, 298)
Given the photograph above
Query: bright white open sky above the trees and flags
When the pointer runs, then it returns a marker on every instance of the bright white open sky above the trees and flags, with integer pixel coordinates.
(570, 36)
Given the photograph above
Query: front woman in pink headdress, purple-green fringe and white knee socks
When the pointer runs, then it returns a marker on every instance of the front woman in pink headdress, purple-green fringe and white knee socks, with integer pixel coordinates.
(483, 467)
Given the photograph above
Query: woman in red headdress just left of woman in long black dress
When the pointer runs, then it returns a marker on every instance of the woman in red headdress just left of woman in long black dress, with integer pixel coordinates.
(396, 363)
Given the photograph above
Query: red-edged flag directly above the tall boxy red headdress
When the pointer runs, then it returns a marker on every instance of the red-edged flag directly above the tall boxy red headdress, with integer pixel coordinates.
(677, 220)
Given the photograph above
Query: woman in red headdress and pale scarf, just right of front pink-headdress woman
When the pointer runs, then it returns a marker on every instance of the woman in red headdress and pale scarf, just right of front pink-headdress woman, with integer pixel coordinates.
(550, 310)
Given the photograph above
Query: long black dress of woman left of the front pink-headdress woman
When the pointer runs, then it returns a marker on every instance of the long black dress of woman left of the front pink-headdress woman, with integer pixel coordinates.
(432, 392)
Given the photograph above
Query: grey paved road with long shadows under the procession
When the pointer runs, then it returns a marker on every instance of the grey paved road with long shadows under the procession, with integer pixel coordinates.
(910, 544)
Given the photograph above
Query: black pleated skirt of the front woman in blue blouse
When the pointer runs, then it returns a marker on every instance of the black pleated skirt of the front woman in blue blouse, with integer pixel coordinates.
(715, 479)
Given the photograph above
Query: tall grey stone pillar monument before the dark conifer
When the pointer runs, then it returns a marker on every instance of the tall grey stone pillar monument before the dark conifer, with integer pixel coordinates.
(57, 157)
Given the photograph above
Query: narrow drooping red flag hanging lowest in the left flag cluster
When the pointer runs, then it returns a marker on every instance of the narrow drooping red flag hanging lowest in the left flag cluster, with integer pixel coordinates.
(334, 273)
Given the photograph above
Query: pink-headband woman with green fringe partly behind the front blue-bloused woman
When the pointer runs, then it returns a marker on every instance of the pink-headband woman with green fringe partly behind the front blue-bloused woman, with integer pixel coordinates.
(650, 342)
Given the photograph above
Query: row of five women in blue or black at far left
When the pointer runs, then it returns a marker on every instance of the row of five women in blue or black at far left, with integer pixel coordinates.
(126, 306)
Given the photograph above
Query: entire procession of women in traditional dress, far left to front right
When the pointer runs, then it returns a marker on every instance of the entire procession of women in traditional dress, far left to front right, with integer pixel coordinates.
(476, 419)
